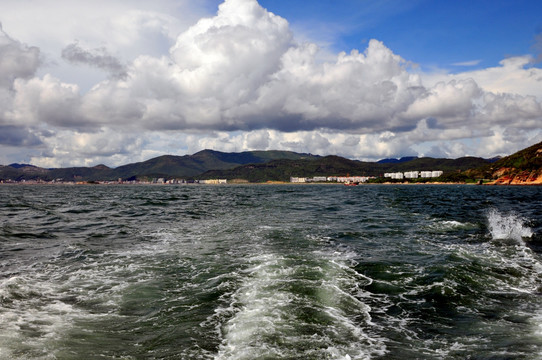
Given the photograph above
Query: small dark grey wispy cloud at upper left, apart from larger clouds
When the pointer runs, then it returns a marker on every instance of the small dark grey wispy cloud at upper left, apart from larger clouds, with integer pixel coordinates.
(98, 58)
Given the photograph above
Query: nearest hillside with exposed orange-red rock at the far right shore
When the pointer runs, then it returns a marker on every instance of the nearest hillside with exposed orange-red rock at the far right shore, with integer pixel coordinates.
(522, 167)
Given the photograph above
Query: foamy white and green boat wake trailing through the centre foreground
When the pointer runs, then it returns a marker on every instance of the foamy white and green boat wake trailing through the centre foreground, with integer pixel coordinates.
(299, 306)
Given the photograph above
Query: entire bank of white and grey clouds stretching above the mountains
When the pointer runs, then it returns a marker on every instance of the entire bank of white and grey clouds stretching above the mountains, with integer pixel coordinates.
(240, 80)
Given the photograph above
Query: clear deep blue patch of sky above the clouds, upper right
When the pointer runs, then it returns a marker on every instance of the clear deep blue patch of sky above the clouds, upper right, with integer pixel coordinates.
(430, 33)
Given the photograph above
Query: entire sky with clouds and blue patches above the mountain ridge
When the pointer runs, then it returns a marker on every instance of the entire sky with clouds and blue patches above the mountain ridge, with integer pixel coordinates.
(119, 81)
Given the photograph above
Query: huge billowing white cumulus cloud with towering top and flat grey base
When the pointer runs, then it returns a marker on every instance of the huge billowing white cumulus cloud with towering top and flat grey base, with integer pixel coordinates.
(242, 70)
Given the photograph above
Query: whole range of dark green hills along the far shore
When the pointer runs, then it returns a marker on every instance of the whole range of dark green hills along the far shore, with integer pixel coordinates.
(276, 165)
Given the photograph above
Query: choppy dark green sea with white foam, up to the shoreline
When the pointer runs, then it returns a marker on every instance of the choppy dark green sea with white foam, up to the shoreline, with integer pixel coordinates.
(270, 272)
